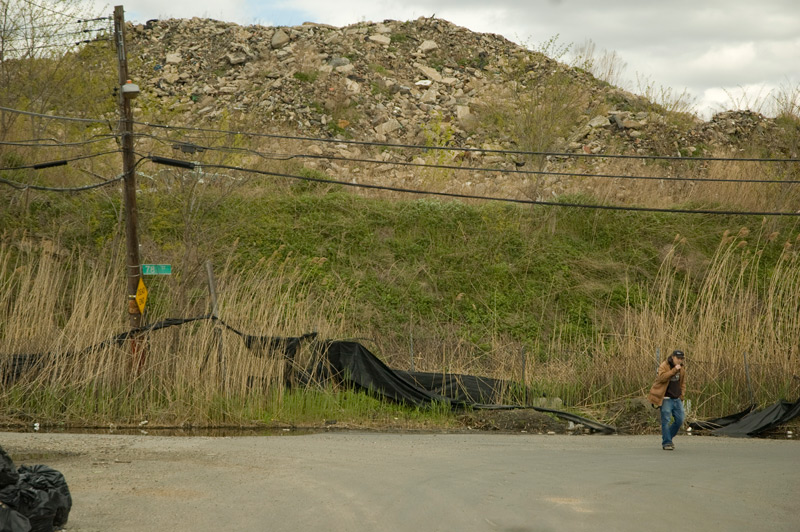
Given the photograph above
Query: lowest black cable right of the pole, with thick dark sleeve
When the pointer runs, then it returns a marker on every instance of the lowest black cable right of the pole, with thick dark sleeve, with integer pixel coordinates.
(189, 165)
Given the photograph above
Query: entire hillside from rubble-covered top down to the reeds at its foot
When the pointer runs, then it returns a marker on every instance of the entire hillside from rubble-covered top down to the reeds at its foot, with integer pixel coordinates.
(573, 302)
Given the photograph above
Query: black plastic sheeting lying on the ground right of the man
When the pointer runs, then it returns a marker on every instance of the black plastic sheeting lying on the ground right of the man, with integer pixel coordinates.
(752, 422)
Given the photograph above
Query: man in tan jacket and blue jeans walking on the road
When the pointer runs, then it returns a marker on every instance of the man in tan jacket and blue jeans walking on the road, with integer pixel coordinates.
(667, 394)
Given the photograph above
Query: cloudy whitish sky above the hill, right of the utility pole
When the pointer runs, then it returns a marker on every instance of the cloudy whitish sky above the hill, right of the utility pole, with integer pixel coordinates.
(712, 48)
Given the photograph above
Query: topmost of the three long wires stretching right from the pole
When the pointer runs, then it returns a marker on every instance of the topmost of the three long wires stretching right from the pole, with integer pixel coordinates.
(468, 150)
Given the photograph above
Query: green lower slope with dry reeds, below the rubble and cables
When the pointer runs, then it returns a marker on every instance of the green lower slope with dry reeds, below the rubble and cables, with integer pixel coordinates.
(591, 298)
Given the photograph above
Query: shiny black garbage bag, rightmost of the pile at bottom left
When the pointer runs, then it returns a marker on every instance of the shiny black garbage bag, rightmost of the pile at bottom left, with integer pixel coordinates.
(44, 497)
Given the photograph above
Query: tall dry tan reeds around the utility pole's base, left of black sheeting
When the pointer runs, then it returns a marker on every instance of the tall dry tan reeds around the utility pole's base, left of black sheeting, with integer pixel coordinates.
(199, 373)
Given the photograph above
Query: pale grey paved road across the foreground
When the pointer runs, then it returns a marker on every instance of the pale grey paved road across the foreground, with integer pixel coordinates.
(349, 481)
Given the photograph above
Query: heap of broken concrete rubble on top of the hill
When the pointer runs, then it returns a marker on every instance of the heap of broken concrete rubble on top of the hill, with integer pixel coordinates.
(425, 82)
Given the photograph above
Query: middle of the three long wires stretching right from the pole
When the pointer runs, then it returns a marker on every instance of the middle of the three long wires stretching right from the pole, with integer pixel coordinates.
(192, 148)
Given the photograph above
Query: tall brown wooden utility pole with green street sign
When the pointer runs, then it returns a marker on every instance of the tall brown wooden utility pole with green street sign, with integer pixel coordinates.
(134, 268)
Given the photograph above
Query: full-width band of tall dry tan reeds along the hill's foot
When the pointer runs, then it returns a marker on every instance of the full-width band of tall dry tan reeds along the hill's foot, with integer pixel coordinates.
(741, 336)
